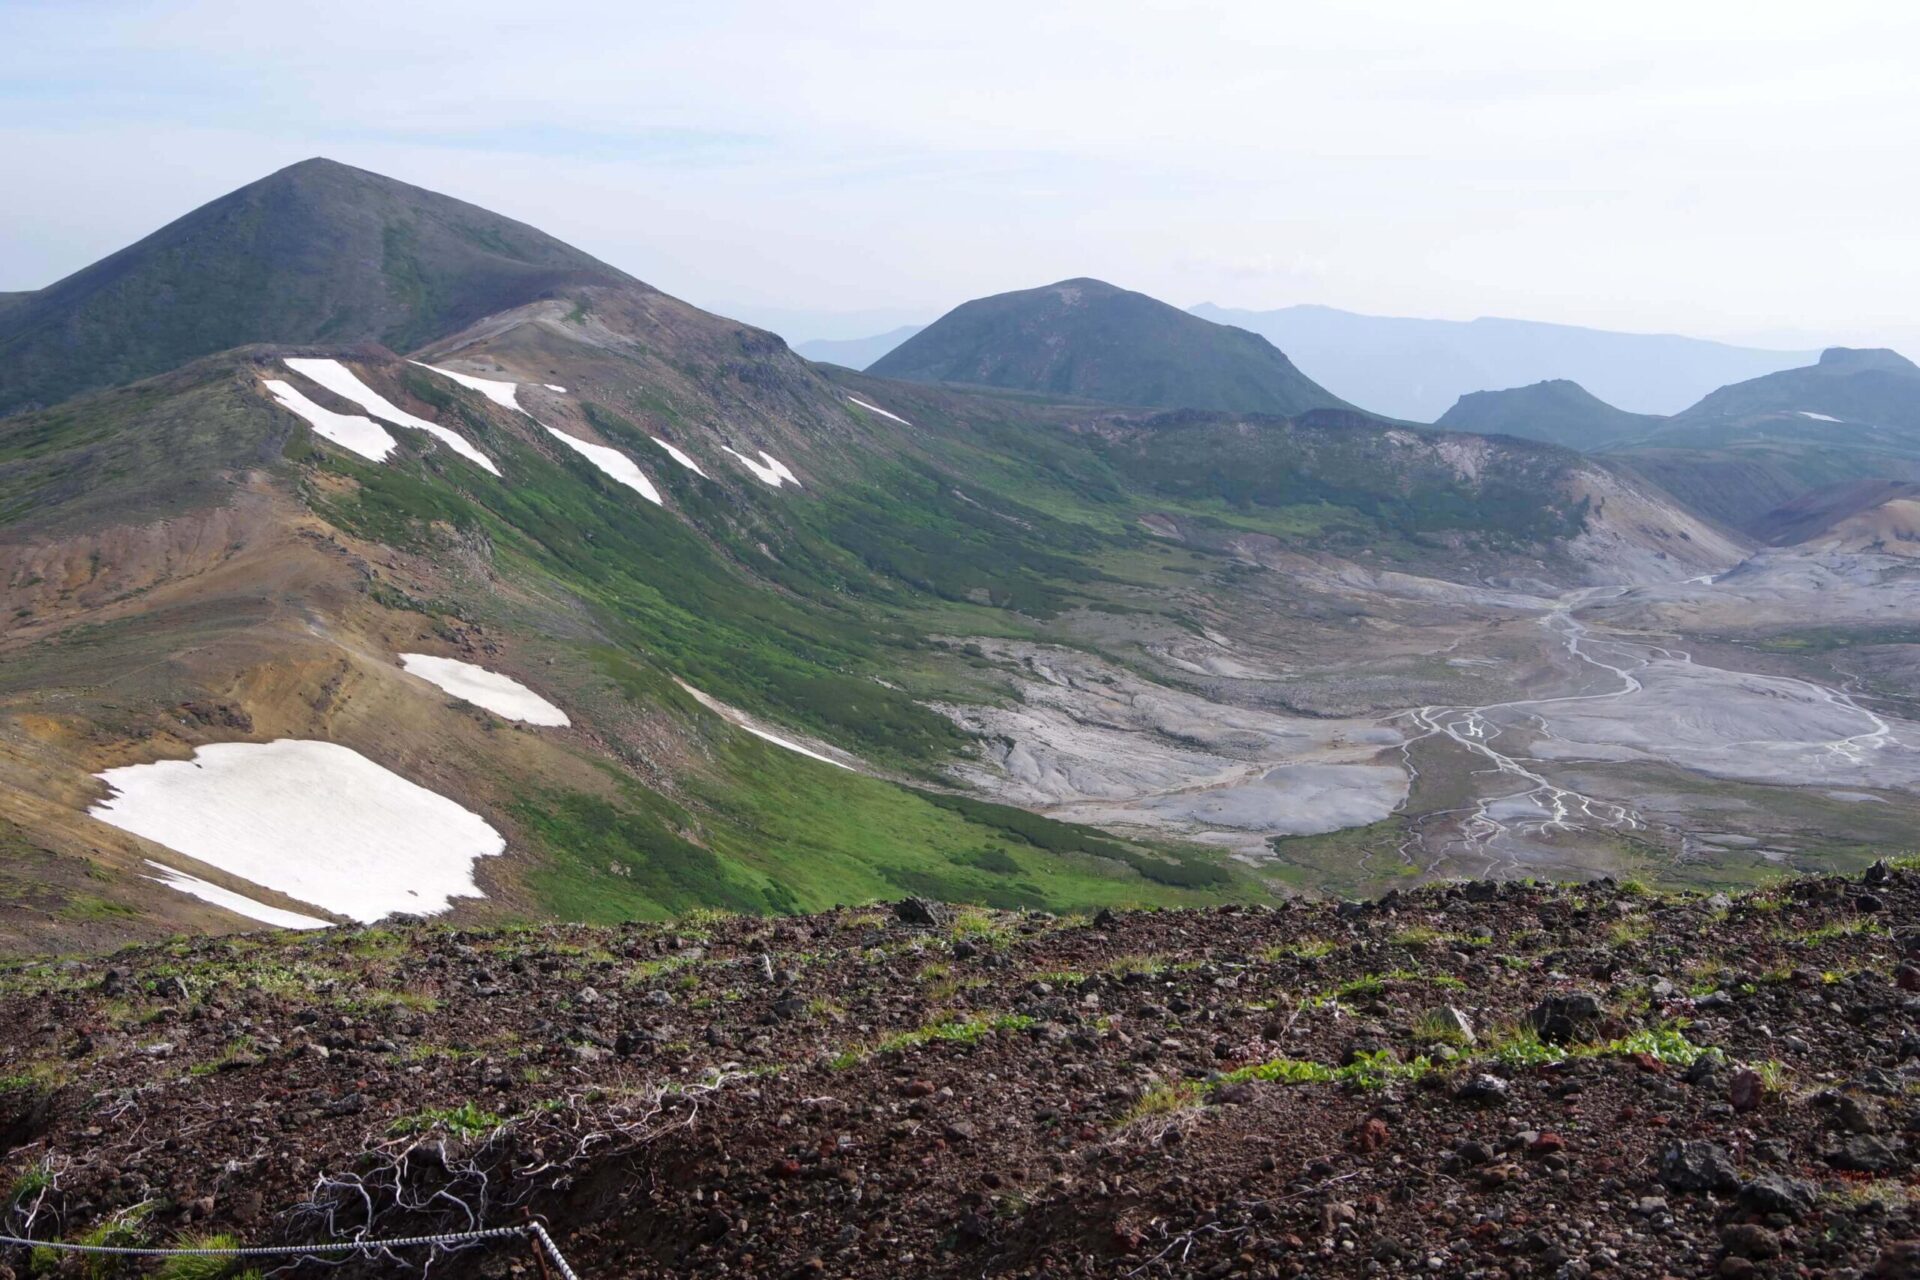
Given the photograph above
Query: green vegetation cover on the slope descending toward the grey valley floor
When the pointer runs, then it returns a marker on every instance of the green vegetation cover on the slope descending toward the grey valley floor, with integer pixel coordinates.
(796, 607)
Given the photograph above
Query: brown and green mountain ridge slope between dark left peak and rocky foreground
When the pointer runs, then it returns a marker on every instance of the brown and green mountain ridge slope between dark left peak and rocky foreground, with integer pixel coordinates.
(187, 561)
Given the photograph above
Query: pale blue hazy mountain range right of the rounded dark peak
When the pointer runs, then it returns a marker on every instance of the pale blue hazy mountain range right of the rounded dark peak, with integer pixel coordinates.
(1416, 369)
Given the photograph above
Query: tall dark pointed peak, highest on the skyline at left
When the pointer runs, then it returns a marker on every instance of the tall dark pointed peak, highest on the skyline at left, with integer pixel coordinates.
(318, 252)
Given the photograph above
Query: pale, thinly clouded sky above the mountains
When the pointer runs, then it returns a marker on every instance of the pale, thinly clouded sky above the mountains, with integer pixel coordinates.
(1721, 170)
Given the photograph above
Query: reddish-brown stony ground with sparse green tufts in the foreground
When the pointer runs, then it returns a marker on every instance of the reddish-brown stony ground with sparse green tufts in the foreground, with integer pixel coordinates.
(994, 1095)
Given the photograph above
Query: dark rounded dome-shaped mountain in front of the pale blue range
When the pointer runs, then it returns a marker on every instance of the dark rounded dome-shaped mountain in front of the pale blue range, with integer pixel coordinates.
(1090, 341)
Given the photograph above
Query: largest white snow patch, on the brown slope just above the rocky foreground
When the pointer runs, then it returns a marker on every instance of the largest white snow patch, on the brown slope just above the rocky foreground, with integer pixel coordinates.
(316, 822)
